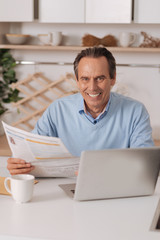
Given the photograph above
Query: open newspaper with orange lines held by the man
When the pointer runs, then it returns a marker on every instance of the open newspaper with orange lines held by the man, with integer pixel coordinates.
(48, 154)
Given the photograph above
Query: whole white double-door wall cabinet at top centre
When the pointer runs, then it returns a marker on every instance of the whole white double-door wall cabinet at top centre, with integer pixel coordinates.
(85, 11)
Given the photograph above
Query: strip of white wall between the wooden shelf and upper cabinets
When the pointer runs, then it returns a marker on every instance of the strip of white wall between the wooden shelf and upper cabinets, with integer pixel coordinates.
(72, 33)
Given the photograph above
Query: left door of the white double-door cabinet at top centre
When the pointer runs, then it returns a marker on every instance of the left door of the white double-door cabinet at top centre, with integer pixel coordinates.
(61, 11)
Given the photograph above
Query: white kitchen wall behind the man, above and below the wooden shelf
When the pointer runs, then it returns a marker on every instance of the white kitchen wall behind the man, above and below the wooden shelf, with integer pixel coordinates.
(141, 81)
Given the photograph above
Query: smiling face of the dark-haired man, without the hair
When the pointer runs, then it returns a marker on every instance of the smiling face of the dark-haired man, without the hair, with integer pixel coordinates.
(94, 83)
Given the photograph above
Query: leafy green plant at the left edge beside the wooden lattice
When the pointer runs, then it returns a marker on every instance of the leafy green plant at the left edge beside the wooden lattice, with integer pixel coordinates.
(7, 77)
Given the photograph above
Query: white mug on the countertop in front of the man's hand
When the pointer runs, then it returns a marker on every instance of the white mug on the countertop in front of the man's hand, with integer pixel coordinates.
(21, 187)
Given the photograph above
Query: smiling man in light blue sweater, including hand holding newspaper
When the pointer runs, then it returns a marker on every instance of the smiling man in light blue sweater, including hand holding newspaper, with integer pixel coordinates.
(95, 118)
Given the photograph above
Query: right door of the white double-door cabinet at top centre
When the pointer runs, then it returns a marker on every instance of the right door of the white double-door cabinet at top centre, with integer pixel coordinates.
(108, 11)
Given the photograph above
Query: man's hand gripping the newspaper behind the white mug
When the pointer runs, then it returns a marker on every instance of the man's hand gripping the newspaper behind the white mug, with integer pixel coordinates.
(18, 166)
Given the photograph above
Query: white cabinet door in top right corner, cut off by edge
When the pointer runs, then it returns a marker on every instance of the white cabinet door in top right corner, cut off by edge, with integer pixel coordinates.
(147, 11)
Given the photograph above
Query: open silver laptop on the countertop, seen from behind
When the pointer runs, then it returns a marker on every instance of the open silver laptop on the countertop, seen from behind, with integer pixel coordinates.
(115, 173)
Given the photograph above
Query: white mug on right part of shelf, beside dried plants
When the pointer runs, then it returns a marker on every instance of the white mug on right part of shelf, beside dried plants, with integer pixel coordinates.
(126, 39)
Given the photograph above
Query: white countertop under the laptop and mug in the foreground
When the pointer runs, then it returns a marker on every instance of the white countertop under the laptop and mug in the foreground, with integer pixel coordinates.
(53, 215)
